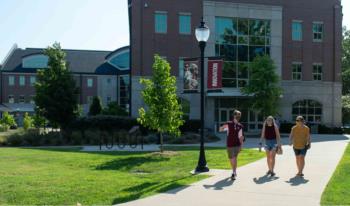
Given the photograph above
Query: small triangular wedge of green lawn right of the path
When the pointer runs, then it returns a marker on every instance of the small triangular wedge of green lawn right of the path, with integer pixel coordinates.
(337, 191)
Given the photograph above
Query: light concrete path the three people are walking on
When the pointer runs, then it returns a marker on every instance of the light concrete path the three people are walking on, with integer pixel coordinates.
(253, 188)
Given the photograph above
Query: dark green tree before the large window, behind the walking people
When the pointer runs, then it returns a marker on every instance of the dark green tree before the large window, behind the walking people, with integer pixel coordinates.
(263, 86)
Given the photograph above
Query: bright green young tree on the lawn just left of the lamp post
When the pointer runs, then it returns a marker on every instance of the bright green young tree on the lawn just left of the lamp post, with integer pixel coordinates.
(163, 112)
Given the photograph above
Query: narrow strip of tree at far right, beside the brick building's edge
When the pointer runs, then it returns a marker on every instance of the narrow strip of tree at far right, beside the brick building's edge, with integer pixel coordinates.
(346, 61)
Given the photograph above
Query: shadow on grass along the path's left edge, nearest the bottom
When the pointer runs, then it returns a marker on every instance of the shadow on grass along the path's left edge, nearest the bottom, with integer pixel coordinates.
(136, 192)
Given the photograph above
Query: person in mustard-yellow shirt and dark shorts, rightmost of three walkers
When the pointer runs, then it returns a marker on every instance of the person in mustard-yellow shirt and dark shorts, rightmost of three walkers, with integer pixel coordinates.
(301, 141)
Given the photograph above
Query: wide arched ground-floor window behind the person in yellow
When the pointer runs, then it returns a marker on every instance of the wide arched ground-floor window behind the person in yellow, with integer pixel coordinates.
(311, 110)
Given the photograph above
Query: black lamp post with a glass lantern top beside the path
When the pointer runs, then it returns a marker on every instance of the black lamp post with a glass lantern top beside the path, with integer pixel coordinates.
(202, 36)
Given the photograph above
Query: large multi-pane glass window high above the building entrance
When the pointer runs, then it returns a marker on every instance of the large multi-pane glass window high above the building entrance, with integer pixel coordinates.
(239, 41)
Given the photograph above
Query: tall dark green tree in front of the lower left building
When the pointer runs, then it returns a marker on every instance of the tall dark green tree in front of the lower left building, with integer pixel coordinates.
(56, 92)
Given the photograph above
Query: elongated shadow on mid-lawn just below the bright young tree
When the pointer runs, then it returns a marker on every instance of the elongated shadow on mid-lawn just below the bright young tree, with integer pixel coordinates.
(130, 162)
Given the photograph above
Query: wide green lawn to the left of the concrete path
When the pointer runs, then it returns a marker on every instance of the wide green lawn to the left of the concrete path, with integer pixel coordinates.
(67, 176)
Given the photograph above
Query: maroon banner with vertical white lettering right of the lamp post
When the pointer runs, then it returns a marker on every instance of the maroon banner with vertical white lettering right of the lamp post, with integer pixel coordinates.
(215, 73)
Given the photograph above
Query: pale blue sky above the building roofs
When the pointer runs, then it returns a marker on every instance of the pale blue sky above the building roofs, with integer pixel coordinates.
(76, 24)
